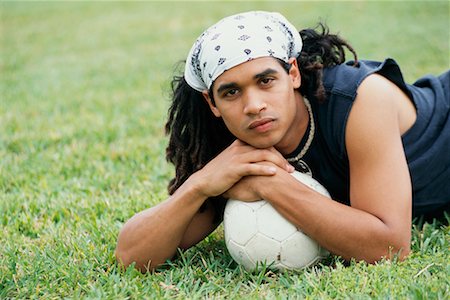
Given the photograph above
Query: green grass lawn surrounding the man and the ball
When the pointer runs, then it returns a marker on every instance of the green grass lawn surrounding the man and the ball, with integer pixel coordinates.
(84, 91)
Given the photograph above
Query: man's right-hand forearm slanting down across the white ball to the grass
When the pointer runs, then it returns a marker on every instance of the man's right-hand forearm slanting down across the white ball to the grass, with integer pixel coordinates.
(343, 230)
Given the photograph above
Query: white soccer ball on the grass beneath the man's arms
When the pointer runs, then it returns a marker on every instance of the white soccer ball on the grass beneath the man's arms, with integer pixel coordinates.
(256, 234)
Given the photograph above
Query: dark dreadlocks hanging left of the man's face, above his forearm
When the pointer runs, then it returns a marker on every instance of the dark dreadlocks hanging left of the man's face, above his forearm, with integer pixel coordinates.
(195, 134)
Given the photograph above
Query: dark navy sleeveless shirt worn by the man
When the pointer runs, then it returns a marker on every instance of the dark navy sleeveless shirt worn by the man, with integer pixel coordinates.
(426, 143)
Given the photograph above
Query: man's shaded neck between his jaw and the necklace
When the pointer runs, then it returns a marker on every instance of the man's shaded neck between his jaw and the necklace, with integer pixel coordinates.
(297, 129)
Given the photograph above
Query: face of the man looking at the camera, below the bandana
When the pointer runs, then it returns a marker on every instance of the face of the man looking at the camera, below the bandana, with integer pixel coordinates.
(258, 103)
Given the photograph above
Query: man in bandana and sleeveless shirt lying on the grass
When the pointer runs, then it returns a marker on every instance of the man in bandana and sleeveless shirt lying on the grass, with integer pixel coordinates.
(258, 99)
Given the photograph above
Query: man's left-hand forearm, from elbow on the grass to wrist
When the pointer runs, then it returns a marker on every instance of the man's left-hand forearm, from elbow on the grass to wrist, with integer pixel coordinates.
(152, 236)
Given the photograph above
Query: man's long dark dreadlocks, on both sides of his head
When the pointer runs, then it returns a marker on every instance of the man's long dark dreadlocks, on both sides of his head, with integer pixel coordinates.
(196, 135)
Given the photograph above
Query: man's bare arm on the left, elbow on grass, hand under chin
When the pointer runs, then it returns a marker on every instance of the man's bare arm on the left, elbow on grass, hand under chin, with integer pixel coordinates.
(152, 236)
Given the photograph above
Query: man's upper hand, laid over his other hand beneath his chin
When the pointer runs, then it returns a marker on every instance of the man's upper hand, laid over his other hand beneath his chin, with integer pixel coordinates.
(235, 162)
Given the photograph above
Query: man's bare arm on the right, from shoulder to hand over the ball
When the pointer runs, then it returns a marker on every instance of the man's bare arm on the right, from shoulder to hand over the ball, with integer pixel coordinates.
(378, 222)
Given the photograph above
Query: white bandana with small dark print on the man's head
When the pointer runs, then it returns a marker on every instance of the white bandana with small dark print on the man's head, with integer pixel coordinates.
(237, 39)
